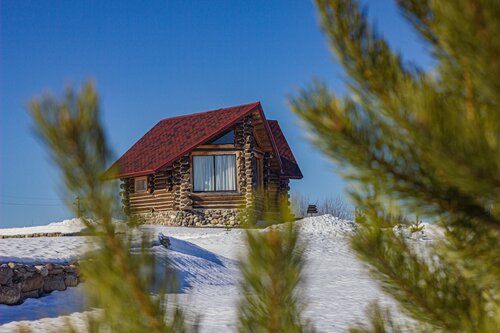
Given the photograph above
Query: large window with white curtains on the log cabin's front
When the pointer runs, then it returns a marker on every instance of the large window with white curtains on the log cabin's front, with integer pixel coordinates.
(214, 173)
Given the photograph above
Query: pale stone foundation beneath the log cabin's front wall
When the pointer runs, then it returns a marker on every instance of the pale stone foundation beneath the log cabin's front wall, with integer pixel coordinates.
(195, 218)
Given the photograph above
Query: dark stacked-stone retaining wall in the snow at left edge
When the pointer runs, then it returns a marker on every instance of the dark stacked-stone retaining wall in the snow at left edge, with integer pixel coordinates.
(19, 281)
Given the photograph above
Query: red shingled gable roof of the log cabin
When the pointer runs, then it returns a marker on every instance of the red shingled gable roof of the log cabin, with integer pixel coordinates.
(174, 137)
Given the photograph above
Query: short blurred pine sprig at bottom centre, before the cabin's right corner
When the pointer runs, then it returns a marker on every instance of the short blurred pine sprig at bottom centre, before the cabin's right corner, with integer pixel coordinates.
(271, 281)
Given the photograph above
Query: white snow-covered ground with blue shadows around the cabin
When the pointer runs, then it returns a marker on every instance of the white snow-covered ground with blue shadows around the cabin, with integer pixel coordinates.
(337, 287)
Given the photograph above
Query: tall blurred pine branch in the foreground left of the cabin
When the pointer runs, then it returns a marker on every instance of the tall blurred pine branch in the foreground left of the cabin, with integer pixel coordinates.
(117, 279)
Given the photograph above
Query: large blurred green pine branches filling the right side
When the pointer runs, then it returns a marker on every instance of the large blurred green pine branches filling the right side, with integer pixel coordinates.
(420, 142)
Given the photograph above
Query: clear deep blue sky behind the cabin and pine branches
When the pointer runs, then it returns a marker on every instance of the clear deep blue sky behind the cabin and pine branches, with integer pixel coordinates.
(156, 59)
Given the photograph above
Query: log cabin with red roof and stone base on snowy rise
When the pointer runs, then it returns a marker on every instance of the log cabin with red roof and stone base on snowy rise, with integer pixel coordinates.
(208, 169)
